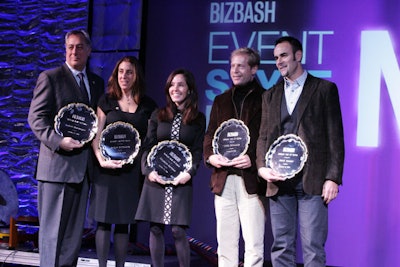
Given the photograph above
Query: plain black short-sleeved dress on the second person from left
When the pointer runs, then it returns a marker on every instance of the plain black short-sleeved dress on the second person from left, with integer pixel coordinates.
(115, 193)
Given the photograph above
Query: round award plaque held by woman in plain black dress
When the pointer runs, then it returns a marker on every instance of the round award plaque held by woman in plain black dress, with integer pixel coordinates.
(120, 141)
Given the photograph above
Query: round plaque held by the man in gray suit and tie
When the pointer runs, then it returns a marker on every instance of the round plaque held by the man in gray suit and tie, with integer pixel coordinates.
(76, 120)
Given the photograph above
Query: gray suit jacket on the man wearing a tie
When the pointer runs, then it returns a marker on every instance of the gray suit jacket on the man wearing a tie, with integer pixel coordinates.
(55, 89)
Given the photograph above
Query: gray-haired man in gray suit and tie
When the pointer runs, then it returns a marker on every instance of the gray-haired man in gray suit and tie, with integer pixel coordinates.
(64, 164)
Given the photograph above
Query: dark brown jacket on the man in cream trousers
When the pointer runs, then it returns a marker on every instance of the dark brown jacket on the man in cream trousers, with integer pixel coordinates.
(222, 110)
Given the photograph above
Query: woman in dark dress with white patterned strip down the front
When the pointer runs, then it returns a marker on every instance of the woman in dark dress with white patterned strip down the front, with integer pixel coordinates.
(163, 203)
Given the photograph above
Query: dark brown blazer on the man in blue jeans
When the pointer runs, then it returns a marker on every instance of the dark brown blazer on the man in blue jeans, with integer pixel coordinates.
(319, 126)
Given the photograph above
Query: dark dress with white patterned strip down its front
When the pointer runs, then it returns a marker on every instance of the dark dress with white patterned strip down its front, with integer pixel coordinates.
(153, 198)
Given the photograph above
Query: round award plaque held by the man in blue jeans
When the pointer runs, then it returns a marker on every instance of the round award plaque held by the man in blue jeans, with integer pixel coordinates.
(287, 155)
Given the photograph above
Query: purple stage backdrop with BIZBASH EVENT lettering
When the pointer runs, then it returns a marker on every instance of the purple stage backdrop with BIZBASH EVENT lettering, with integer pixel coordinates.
(352, 43)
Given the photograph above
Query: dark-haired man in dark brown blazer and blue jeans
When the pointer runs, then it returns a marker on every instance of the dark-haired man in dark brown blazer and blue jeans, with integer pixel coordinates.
(308, 107)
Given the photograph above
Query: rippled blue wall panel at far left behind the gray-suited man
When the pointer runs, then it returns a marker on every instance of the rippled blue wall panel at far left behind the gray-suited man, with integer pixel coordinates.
(32, 40)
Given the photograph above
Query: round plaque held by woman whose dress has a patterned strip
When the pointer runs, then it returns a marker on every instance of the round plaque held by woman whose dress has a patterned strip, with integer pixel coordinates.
(169, 159)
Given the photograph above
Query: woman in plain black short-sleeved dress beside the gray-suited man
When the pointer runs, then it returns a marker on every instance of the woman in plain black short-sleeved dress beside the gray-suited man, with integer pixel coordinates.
(116, 186)
